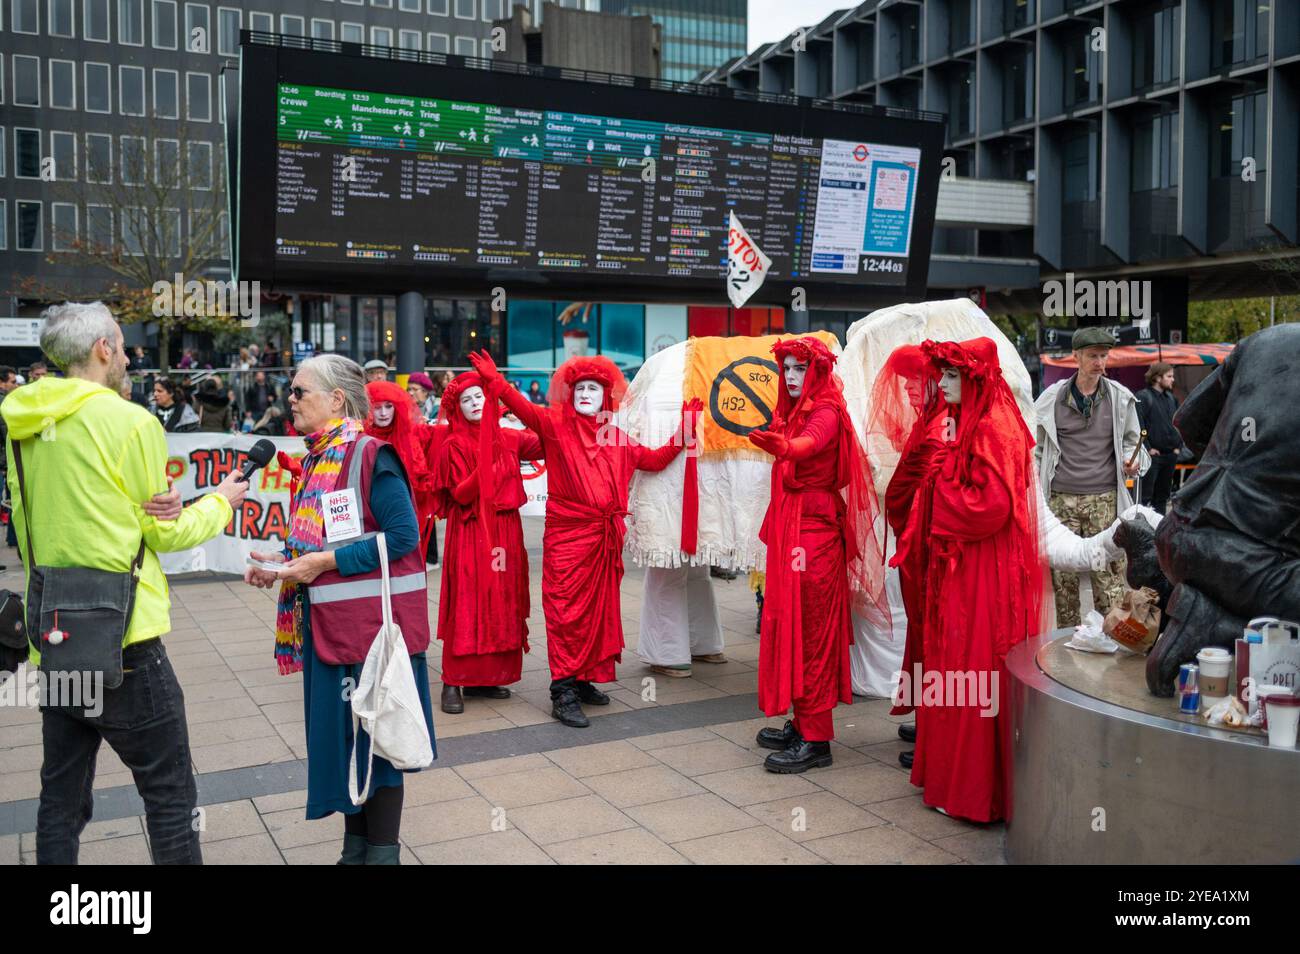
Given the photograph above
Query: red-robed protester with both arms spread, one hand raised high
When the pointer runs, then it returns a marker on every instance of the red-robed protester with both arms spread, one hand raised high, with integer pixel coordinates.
(590, 466)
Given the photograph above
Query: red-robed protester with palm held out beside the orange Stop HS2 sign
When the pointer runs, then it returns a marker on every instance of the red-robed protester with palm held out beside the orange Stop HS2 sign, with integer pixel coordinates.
(822, 557)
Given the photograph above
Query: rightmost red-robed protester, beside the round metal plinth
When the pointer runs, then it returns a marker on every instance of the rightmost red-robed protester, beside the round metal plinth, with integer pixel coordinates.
(973, 528)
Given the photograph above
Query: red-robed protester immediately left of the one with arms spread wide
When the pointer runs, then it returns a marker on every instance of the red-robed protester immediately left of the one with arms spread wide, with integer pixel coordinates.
(483, 605)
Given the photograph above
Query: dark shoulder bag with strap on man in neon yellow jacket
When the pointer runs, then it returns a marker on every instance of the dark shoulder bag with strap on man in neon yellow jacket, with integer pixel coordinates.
(77, 617)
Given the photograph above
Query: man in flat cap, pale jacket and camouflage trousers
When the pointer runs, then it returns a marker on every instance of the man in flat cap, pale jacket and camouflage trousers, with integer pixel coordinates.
(1089, 444)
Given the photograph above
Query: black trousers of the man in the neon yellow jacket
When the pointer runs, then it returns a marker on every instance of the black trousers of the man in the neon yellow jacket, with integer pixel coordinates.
(144, 721)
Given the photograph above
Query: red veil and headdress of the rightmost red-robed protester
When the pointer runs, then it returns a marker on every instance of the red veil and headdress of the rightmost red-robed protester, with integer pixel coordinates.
(990, 428)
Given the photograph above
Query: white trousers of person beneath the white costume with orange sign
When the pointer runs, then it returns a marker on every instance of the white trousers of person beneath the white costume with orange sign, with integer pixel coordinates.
(679, 617)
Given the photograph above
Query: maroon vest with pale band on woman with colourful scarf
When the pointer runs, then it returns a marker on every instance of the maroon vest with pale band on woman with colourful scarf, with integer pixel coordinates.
(346, 612)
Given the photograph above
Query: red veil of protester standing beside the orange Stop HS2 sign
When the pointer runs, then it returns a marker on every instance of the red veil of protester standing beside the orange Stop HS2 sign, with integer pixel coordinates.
(853, 474)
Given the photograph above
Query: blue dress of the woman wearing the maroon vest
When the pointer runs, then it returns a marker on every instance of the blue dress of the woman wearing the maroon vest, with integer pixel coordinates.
(328, 712)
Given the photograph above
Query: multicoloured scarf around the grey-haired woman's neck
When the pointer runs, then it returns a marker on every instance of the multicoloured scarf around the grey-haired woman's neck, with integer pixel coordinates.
(324, 461)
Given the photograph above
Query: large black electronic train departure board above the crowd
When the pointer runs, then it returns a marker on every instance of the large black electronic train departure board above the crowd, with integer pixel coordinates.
(427, 189)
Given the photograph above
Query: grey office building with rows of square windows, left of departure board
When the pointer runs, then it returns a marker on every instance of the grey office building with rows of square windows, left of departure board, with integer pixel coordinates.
(111, 127)
